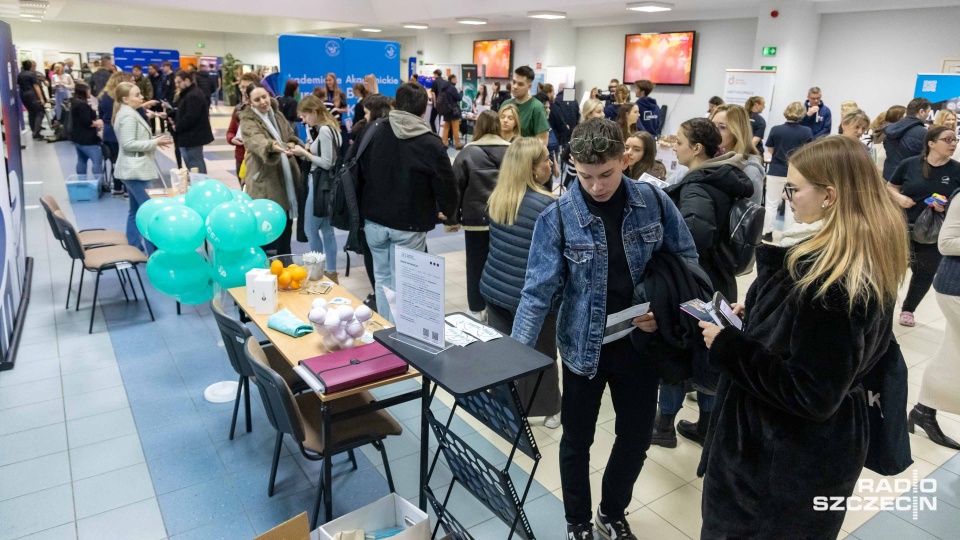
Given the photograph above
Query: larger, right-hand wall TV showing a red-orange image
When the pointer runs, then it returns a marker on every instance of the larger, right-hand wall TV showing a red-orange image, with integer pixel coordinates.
(661, 58)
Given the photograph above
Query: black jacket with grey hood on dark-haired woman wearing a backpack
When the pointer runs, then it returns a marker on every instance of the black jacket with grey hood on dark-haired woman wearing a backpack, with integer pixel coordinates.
(704, 198)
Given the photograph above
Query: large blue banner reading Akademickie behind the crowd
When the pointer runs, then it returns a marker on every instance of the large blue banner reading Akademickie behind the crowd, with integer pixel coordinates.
(308, 59)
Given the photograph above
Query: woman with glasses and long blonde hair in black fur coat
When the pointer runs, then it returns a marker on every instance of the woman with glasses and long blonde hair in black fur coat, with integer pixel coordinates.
(790, 421)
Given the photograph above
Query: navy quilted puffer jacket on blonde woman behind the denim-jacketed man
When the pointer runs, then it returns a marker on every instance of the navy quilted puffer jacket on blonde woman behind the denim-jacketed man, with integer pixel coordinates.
(503, 275)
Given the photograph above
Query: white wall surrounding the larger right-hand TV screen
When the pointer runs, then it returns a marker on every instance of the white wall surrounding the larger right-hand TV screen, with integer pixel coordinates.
(721, 44)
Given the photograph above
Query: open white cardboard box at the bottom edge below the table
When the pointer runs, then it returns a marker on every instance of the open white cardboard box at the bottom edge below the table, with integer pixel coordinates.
(389, 512)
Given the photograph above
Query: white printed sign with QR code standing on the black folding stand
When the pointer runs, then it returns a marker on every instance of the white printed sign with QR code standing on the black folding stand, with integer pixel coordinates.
(420, 281)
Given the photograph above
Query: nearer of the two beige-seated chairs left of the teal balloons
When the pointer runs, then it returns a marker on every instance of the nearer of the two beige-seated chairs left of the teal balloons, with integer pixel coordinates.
(103, 259)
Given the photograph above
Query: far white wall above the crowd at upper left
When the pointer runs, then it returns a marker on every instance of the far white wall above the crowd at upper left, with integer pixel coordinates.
(72, 37)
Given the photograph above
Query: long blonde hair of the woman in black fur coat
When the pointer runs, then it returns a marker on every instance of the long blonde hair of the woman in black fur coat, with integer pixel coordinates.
(863, 244)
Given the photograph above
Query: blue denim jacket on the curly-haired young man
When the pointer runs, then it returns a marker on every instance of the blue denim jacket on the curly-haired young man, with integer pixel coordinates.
(581, 272)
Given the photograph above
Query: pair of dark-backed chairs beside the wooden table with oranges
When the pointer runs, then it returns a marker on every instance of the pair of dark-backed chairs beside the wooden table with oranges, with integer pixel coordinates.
(295, 410)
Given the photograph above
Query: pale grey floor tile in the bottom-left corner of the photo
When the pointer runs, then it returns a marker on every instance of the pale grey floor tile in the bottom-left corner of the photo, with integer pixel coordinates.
(19, 517)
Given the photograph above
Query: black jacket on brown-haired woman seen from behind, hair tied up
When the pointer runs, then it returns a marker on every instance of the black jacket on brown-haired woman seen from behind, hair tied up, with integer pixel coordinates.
(476, 168)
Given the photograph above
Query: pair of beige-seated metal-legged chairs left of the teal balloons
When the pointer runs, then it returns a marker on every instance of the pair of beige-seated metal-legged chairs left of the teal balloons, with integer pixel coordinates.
(97, 250)
